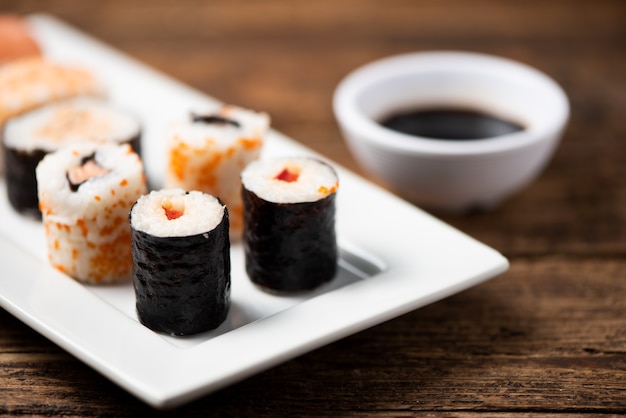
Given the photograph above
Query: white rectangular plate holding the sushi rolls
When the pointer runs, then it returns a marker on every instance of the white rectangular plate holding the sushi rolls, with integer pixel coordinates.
(394, 258)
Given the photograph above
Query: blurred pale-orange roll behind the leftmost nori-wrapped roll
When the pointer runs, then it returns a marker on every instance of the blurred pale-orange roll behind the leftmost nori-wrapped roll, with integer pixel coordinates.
(31, 82)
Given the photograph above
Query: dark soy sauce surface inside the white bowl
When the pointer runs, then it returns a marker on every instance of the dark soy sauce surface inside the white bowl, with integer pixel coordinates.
(450, 124)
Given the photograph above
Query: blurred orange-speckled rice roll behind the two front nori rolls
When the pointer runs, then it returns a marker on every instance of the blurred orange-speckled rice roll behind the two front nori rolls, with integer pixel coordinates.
(208, 152)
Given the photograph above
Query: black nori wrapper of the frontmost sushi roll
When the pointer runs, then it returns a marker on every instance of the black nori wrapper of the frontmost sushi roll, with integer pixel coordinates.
(182, 284)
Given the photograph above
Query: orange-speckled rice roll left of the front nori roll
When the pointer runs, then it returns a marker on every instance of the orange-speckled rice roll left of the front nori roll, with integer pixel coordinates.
(85, 195)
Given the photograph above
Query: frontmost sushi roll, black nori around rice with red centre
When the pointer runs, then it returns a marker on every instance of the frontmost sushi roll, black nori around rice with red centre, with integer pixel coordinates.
(181, 261)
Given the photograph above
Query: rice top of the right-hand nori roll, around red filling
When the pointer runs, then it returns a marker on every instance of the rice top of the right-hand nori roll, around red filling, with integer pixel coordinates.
(315, 181)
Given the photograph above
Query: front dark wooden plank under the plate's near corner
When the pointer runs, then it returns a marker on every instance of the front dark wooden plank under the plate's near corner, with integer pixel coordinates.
(534, 339)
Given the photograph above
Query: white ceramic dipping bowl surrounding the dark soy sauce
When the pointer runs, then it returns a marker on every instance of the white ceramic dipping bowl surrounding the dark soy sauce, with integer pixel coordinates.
(453, 176)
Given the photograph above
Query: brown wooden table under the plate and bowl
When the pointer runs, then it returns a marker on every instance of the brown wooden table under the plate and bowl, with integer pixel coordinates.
(547, 337)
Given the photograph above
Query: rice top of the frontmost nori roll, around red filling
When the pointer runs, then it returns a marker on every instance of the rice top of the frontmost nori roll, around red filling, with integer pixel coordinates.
(201, 213)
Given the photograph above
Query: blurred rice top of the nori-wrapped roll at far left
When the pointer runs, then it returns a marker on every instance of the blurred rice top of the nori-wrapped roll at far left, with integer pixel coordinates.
(70, 121)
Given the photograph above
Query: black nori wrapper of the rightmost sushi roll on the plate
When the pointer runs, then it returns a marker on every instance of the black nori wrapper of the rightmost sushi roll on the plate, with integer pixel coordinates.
(289, 246)
